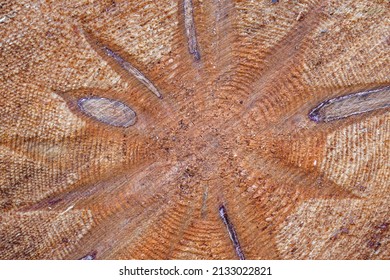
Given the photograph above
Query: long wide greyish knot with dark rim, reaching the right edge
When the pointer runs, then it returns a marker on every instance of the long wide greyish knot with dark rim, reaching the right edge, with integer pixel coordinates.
(352, 104)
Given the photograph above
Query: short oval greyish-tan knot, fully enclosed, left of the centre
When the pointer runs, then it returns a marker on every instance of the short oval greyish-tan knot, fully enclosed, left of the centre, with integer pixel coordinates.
(111, 112)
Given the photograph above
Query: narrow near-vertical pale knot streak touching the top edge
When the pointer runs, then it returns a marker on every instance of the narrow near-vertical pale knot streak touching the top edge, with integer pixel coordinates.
(189, 25)
